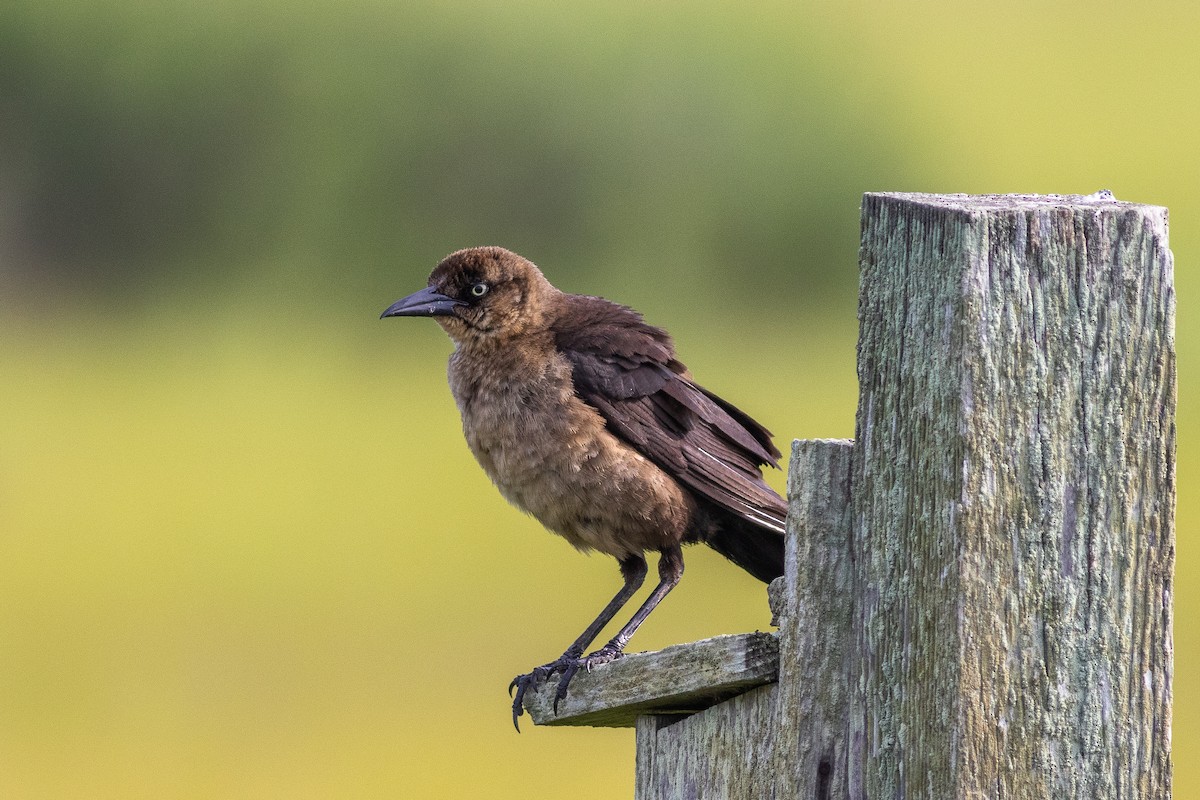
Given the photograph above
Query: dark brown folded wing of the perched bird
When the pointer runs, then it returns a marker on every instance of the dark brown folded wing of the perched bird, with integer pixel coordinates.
(627, 371)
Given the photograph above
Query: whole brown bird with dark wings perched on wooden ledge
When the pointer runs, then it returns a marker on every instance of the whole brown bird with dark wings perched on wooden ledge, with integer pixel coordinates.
(583, 417)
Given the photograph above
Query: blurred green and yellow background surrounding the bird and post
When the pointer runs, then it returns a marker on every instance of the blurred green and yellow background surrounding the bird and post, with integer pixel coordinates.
(247, 554)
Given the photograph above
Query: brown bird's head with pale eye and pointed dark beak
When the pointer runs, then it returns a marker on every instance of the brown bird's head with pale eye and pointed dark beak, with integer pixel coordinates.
(482, 294)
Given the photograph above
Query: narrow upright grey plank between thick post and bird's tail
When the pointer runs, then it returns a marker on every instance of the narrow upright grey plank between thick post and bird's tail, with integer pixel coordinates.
(817, 629)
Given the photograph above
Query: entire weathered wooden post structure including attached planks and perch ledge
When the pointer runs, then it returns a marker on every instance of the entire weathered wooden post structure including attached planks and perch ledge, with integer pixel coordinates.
(979, 591)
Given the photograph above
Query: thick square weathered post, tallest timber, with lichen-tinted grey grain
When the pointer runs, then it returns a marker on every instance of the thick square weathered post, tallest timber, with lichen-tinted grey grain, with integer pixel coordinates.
(1013, 497)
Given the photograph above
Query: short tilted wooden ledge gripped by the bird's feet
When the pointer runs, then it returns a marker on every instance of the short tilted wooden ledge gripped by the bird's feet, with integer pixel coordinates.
(681, 679)
